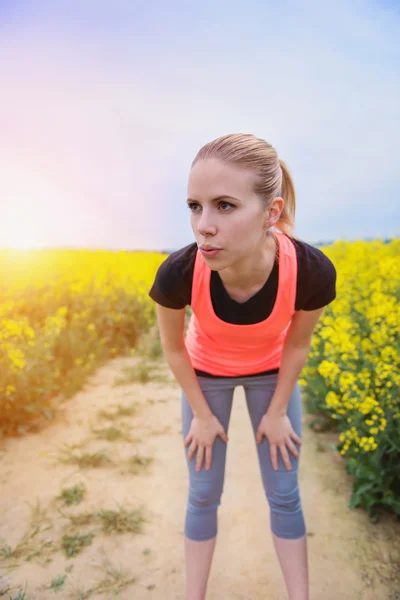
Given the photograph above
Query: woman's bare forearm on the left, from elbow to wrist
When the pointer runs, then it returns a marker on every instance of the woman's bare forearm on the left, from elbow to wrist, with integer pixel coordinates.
(179, 362)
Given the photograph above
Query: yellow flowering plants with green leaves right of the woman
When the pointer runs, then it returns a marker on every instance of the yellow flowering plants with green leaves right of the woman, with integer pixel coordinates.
(352, 376)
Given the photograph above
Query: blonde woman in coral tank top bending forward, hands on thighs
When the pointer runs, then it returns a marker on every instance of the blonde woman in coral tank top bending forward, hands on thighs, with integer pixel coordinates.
(257, 293)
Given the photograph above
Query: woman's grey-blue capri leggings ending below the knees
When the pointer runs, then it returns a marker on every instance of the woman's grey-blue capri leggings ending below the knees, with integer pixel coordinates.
(206, 487)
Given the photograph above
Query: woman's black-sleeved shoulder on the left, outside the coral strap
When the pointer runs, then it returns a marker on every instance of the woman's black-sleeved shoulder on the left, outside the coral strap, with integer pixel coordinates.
(172, 285)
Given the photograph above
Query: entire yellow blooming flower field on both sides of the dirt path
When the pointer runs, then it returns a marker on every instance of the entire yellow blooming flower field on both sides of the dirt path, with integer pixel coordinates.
(62, 313)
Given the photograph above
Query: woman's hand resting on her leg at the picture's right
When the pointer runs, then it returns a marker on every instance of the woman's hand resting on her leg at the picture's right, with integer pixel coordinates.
(278, 429)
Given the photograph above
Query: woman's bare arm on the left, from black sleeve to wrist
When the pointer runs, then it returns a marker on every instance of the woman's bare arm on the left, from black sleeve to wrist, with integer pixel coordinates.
(171, 323)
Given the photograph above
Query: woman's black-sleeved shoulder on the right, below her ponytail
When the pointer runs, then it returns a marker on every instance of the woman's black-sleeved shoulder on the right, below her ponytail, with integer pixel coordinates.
(316, 276)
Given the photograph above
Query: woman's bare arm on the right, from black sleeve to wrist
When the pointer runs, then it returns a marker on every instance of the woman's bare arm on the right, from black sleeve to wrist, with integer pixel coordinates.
(294, 356)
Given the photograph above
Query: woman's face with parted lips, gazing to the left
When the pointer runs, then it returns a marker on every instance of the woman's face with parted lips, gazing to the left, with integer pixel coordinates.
(226, 213)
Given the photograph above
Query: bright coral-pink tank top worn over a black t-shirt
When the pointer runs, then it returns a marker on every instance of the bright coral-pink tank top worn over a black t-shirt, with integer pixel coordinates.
(221, 348)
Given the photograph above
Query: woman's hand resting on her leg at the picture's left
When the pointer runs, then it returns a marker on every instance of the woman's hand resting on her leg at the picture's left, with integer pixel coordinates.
(201, 436)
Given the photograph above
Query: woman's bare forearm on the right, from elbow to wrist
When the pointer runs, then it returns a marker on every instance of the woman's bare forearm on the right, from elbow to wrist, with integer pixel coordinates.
(292, 362)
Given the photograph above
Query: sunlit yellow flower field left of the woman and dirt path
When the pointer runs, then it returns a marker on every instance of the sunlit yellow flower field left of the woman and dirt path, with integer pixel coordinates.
(62, 313)
